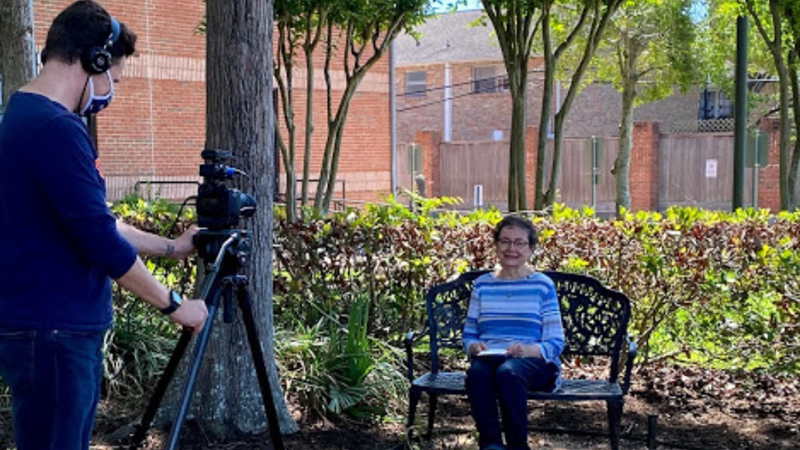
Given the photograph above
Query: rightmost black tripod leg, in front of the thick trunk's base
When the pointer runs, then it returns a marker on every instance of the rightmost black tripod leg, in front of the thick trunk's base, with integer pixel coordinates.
(261, 368)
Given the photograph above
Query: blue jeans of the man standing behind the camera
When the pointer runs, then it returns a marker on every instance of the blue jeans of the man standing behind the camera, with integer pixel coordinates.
(55, 378)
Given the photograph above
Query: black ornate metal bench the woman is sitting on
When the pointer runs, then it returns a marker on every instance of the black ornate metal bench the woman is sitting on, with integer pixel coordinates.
(595, 321)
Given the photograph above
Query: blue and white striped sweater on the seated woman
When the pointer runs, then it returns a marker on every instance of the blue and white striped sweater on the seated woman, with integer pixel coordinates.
(502, 312)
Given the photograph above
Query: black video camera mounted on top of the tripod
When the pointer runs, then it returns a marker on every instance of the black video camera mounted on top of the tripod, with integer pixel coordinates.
(220, 207)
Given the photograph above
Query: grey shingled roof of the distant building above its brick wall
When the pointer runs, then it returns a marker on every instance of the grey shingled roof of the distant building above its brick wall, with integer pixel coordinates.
(449, 37)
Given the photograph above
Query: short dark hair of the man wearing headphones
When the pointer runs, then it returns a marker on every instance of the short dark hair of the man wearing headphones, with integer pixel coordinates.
(81, 26)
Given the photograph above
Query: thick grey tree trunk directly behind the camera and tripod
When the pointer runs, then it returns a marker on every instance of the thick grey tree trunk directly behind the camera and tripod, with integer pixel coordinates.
(240, 118)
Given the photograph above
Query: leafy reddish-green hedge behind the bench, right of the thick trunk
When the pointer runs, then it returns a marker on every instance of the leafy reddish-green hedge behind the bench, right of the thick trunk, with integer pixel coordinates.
(707, 287)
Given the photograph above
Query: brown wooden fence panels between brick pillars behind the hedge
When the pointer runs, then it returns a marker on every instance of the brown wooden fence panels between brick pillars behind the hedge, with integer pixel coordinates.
(694, 169)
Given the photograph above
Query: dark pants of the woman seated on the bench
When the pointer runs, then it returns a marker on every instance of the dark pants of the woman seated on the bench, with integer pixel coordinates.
(497, 379)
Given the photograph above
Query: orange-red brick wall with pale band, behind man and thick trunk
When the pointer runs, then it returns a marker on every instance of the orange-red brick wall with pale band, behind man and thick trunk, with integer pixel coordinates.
(155, 128)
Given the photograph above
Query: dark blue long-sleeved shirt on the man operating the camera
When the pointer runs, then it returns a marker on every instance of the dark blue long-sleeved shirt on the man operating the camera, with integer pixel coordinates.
(59, 245)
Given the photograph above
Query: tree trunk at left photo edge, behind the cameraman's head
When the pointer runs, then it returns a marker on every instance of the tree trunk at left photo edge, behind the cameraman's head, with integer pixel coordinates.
(16, 46)
